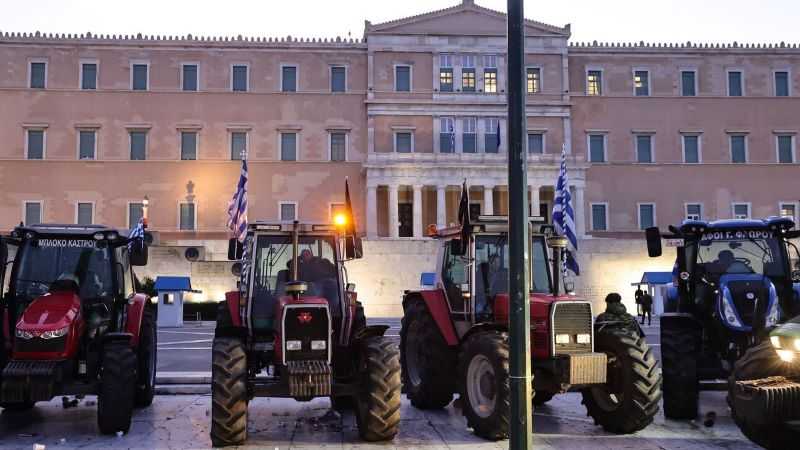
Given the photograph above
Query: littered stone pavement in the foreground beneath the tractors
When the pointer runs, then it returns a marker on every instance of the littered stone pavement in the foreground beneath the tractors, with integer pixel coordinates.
(182, 422)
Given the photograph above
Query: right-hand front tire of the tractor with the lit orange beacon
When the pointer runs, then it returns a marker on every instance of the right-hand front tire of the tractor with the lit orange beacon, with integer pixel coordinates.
(378, 398)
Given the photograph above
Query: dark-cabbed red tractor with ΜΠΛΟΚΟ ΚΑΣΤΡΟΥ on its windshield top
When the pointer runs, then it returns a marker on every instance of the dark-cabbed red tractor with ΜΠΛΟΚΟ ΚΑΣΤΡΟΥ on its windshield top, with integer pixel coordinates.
(72, 322)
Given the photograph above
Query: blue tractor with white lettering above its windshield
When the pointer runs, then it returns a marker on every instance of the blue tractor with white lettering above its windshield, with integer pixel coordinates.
(733, 283)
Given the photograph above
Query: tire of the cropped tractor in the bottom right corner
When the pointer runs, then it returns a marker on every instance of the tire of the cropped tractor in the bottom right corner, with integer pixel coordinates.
(758, 362)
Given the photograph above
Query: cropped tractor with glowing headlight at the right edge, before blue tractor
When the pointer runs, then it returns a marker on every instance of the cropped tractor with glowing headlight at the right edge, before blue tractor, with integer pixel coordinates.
(764, 388)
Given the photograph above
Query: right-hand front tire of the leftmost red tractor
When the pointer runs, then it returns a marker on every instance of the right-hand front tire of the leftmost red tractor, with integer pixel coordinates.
(115, 398)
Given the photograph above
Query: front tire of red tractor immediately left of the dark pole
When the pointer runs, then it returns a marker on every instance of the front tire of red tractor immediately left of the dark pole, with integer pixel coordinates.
(485, 389)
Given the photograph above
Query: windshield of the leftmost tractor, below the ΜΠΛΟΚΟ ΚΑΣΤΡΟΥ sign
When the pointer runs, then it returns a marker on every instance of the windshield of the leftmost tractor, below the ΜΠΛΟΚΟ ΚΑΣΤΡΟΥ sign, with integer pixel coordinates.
(42, 261)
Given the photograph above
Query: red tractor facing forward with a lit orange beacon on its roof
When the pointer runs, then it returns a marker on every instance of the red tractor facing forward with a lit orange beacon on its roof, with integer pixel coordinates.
(295, 329)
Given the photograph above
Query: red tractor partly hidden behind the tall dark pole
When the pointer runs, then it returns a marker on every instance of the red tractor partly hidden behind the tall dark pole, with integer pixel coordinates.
(461, 321)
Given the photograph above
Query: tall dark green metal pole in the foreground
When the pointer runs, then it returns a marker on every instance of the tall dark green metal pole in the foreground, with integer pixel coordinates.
(518, 234)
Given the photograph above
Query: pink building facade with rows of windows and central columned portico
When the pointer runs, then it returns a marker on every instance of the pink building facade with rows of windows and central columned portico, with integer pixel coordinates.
(654, 133)
